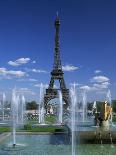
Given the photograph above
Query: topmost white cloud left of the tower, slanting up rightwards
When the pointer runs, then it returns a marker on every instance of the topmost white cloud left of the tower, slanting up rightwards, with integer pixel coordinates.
(19, 62)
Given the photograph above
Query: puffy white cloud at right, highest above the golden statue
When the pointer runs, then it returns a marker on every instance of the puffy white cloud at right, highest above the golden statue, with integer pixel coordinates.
(100, 79)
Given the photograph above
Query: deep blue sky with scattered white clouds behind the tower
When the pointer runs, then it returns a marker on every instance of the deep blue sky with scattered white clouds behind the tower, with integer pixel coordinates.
(87, 44)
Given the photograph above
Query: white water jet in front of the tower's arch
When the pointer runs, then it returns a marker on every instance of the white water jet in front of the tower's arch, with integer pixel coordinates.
(60, 107)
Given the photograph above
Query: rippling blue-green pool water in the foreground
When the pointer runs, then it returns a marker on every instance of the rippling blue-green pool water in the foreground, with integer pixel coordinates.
(53, 145)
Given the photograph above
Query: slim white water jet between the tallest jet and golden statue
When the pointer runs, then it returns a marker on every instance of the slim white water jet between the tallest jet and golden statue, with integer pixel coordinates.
(84, 106)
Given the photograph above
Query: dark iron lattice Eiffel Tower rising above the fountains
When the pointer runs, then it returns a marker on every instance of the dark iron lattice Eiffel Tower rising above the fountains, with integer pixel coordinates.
(57, 74)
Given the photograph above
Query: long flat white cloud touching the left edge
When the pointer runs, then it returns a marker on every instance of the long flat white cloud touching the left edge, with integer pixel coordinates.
(4, 72)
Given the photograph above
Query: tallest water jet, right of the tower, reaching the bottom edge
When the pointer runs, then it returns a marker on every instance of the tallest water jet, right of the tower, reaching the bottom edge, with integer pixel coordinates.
(73, 117)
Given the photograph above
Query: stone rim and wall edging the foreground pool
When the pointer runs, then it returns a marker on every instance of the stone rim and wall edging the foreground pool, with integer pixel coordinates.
(87, 137)
